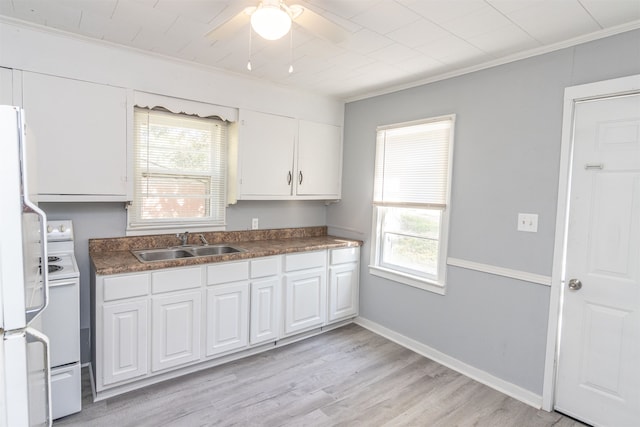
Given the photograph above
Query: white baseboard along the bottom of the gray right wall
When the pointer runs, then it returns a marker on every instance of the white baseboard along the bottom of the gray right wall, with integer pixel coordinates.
(479, 375)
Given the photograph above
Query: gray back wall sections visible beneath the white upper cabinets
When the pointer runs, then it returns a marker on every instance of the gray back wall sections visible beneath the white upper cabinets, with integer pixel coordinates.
(94, 220)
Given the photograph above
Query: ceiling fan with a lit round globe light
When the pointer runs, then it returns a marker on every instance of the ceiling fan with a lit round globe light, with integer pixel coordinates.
(272, 19)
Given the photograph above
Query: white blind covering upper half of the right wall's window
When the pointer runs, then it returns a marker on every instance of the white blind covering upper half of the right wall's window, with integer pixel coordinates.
(412, 164)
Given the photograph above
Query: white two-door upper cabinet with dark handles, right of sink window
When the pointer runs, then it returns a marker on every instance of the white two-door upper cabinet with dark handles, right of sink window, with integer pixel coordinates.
(280, 158)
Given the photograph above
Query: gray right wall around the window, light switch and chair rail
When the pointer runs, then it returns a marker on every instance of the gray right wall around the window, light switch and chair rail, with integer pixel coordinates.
(506, 160)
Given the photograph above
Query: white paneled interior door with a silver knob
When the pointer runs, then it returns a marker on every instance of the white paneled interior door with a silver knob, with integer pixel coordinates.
(598, 377)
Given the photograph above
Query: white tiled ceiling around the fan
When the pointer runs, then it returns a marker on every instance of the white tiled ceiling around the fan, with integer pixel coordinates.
(390, 43)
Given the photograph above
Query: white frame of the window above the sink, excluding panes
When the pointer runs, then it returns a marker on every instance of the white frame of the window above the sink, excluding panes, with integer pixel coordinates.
(137, 226)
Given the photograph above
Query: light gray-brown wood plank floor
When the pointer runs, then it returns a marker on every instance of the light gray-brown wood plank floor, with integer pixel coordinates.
(348, 377)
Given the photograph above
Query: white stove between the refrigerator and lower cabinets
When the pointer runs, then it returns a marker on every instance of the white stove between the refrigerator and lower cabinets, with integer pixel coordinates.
(61, 321)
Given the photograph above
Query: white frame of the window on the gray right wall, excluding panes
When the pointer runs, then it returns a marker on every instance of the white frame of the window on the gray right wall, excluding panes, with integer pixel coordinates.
(377, 267)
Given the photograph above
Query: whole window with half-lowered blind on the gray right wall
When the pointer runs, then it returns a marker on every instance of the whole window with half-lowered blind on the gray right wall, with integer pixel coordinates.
(411, 194)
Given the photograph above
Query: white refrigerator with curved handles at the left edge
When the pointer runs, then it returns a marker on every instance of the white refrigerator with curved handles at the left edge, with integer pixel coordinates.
(25, 396)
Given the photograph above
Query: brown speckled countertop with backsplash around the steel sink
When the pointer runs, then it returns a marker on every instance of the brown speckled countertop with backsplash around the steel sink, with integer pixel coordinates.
(113, 256)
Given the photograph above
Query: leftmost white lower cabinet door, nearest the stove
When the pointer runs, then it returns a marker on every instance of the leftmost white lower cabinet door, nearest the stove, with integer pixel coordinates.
(124, 341)
